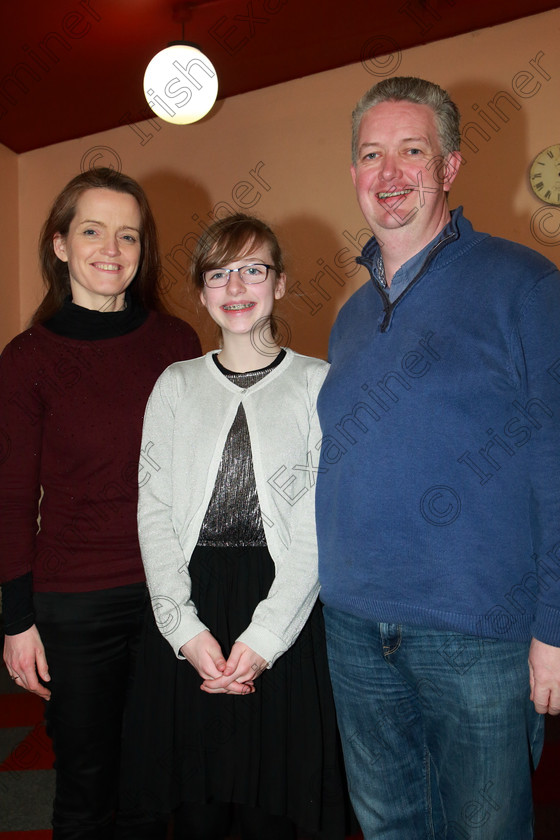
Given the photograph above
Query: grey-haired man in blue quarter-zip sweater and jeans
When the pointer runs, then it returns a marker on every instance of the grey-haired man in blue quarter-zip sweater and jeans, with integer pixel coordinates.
(438, 497)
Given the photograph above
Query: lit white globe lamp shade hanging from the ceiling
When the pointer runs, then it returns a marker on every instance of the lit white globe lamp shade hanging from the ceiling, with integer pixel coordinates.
(180, 83)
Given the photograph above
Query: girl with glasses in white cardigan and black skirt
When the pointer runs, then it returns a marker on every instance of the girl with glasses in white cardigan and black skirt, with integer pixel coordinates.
(241, 714)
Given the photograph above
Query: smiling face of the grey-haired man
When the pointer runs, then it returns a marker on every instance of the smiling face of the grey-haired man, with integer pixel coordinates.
(400, 175)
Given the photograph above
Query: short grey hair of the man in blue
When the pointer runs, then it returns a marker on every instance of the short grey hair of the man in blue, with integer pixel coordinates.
(420, 92)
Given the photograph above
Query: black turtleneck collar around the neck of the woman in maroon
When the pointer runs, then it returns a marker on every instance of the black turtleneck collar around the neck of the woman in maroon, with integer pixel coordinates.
(73, 321)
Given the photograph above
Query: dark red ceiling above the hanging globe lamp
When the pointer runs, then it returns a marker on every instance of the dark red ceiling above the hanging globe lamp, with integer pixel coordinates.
(70, 68)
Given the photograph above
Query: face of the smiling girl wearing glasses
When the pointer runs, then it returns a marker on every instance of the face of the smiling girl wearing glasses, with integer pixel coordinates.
(241, 308)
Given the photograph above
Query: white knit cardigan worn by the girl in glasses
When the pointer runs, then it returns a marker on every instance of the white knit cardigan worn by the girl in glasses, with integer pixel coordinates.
(187, 420)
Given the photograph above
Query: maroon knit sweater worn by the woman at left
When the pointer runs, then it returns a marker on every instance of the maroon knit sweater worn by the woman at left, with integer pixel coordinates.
(71, 424)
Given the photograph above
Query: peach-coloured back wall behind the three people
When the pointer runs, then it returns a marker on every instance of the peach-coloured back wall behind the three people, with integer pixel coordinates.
(283, 153)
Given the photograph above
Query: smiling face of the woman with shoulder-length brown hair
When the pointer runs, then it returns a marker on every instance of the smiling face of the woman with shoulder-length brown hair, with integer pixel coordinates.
(102, 248)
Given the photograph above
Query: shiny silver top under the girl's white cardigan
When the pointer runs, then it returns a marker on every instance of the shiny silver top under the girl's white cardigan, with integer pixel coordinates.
(234, 516)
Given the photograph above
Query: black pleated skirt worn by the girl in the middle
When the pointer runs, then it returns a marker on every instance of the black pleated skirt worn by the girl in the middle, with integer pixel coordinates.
(276, 749)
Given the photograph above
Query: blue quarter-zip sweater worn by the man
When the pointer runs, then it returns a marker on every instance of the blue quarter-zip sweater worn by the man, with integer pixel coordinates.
(438, 493)
